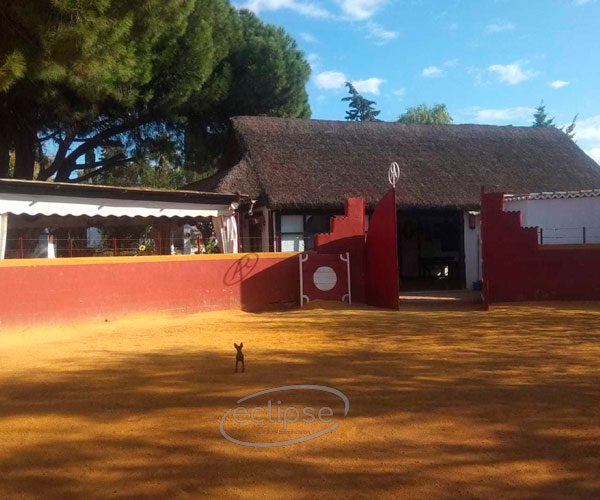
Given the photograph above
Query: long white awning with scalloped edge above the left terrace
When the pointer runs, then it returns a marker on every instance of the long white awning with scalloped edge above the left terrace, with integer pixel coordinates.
(41, 204)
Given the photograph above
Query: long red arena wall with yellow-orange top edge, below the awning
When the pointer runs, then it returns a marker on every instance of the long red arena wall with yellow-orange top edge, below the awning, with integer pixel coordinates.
(56, 290)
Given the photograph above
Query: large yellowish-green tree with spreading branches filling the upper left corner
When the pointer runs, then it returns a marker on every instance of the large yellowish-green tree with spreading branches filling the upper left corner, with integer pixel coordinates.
(73, 69)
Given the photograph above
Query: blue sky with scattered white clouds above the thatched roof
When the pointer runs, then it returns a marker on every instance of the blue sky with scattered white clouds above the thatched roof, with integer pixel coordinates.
(489, 61)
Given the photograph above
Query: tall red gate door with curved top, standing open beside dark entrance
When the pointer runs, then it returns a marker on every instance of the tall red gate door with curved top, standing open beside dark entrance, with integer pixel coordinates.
(383, 282)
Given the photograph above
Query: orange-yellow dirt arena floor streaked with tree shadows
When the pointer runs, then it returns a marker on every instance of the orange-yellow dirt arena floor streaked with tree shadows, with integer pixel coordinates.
(445, 403)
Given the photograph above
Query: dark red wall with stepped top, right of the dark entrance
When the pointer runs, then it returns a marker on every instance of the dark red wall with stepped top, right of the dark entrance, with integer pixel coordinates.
(517, 268)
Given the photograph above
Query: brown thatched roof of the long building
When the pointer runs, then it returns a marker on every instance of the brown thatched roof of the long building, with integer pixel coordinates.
(313, 164)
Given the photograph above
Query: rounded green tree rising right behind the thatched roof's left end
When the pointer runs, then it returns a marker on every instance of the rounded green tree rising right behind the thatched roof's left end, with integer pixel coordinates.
(264, 74)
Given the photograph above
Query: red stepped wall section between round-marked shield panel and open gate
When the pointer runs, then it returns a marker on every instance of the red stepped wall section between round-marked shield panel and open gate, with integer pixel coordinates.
(348, 235)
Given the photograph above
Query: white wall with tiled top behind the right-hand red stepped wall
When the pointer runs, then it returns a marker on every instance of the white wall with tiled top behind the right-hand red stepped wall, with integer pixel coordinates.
(562, 219)
